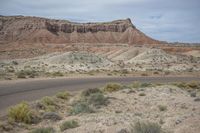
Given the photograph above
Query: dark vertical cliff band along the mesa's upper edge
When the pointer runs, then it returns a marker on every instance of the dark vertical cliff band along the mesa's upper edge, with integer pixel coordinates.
(114, 26)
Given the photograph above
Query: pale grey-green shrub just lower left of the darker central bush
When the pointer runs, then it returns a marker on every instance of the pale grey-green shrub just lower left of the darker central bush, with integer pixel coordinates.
(81, 107)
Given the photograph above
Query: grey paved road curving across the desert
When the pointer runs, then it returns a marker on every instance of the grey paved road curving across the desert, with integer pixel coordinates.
(12, 92)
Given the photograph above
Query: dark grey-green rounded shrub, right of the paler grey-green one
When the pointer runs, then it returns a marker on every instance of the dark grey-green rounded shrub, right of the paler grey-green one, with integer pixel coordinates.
(97, 99)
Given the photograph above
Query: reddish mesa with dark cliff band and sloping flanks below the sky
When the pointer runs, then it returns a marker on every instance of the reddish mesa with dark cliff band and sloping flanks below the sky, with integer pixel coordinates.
(41, 30)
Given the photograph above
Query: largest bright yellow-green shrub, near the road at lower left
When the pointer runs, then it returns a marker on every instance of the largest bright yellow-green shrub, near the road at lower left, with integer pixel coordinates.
(21, 113)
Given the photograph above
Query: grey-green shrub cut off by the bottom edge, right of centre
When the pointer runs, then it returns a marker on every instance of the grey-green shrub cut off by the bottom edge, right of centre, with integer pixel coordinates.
(149, 127)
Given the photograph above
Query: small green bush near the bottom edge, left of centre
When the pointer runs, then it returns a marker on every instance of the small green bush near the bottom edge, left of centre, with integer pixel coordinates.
(69, 124)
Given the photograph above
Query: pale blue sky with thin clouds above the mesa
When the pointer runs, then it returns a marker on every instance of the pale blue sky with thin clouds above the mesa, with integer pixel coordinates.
(166, 20)
